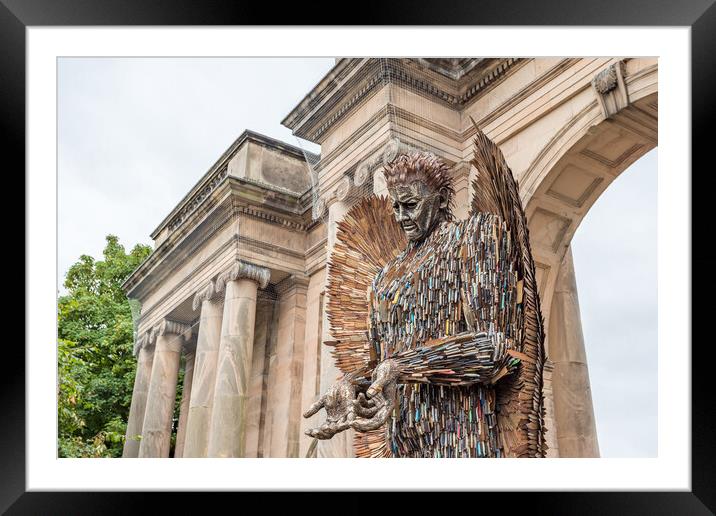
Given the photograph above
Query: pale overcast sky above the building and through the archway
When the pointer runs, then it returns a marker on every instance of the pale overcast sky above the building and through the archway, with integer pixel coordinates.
(136, 134)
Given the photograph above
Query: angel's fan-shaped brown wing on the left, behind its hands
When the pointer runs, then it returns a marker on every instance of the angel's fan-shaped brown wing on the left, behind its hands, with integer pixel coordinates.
(367, 238)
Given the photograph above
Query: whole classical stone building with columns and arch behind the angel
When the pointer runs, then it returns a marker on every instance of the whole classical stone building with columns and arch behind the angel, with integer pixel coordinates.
(234, 289)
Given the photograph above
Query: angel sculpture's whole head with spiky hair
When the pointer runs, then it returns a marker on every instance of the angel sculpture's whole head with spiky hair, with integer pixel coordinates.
(421, 188)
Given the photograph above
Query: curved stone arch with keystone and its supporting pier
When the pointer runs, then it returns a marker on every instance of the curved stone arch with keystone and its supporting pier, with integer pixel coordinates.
(567, 176)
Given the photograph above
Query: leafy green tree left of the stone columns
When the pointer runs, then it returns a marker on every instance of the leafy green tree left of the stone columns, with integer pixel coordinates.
(95, 364)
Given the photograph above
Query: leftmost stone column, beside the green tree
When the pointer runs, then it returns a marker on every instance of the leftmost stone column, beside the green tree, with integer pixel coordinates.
(145, 355)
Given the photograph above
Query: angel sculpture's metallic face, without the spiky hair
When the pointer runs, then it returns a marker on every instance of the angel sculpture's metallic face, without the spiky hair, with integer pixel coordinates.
(417, 208)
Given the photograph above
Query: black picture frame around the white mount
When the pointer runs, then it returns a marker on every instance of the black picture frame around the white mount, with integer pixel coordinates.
(699, 15)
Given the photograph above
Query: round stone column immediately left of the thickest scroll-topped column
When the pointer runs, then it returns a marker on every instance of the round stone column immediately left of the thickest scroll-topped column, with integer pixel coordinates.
(196, 442)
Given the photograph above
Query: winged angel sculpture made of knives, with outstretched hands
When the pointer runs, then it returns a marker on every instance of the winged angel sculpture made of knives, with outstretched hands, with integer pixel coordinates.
(436, 323)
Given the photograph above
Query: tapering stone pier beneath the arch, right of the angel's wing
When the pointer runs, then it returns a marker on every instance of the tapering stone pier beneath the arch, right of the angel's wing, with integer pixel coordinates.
(573, 410)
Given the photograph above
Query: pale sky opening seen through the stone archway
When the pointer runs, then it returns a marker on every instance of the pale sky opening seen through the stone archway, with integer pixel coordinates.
(614, 252)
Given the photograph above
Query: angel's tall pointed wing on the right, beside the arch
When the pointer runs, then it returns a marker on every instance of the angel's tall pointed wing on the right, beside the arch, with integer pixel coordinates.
(519, 397)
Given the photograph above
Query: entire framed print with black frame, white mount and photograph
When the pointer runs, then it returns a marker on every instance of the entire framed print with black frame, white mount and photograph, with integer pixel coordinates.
(263, 282)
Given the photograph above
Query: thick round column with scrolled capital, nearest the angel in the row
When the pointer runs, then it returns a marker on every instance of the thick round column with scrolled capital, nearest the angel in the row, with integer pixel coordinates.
(227, 435)
